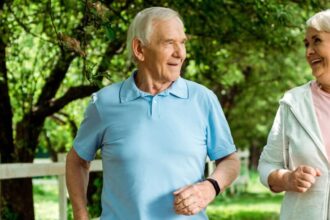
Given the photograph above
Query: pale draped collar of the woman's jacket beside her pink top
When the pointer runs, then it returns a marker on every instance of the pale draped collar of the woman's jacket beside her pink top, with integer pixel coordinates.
(301, 105)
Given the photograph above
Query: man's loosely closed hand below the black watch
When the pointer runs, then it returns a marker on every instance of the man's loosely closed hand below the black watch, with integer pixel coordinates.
(190, 200)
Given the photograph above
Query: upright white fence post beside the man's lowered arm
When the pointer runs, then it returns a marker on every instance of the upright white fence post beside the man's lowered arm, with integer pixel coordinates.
(62, 190)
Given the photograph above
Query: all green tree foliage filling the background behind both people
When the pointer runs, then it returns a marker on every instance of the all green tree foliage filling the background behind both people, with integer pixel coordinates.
(248, 52)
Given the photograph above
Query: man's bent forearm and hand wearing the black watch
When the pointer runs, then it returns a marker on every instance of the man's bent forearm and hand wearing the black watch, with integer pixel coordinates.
(190, 200)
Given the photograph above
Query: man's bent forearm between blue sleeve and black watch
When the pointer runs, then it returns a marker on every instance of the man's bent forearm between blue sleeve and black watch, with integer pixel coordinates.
(226, 171)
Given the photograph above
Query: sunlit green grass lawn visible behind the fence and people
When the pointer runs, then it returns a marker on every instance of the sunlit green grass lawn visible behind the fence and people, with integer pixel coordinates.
(255, 204)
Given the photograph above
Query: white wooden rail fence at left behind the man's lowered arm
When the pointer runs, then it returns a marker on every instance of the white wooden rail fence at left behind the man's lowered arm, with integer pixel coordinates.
(21, 170)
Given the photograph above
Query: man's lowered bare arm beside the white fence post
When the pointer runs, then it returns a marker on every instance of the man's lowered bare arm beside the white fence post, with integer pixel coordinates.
(77, 175)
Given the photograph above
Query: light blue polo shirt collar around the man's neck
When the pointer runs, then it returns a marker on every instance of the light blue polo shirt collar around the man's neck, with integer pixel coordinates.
(129, 91)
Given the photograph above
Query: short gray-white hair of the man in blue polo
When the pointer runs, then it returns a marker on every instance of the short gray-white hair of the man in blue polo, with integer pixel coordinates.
(142, 26)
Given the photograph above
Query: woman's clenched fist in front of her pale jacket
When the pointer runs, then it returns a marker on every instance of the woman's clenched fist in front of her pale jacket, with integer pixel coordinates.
(301, 179)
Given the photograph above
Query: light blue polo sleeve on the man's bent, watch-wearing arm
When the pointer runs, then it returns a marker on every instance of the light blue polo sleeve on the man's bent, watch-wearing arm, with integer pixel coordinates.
(219, 139)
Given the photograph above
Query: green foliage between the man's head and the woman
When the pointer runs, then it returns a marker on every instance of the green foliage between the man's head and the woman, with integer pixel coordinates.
(249, 53)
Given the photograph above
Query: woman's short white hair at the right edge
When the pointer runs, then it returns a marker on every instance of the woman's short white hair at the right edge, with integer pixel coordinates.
(320, 21)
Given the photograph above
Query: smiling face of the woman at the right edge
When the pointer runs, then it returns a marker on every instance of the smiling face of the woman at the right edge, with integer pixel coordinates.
(318, 54)
